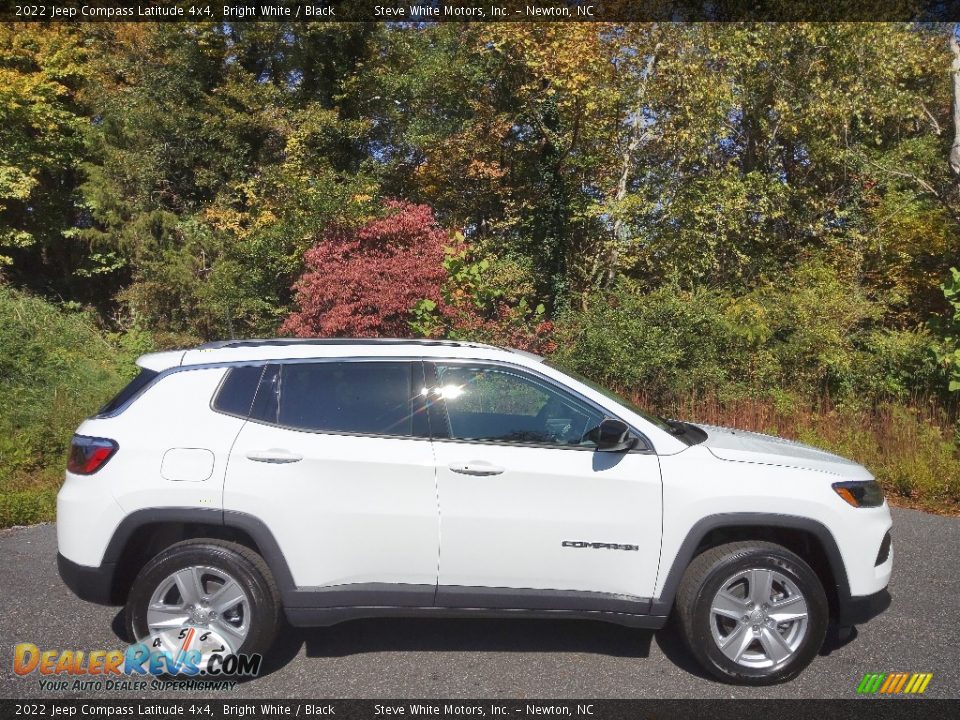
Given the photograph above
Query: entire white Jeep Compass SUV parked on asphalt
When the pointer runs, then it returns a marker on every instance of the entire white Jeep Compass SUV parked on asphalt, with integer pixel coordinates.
(337, 479)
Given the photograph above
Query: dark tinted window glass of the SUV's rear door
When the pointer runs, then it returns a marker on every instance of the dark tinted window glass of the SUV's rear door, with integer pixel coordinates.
(375, 398)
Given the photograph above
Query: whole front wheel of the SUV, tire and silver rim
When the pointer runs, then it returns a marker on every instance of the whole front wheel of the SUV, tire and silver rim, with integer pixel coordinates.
(738, 642)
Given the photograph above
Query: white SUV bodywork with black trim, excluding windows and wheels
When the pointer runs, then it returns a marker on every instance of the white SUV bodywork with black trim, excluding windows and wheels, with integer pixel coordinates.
(360, 524)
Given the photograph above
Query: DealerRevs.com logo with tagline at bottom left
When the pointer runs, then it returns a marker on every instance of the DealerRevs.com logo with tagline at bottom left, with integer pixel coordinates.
(141, 666)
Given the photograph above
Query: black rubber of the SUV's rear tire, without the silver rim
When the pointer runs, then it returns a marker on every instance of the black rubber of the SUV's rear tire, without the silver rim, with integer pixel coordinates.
(263, 605)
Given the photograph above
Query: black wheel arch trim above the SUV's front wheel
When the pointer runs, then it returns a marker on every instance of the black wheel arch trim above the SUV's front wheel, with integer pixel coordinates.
(808, 538)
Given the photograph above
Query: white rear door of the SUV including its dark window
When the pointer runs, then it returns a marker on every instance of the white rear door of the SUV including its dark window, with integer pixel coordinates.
(337, 462)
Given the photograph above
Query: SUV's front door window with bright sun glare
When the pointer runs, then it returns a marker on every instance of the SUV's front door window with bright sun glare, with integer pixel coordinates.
(497, 404)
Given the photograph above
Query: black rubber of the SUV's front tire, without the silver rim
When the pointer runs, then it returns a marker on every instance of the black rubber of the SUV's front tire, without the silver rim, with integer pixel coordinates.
(818, 617)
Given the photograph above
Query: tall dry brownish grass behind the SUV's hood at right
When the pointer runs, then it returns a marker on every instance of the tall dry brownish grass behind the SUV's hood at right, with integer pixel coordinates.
(911, 448)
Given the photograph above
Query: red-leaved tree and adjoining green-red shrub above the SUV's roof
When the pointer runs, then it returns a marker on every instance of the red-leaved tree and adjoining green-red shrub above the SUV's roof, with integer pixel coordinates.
(401, 275)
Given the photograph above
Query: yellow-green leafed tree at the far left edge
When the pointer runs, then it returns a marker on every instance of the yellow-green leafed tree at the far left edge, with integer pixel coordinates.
(42, 72)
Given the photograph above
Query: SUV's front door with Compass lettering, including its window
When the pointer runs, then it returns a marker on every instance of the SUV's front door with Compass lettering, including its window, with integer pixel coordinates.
(532, 516)
